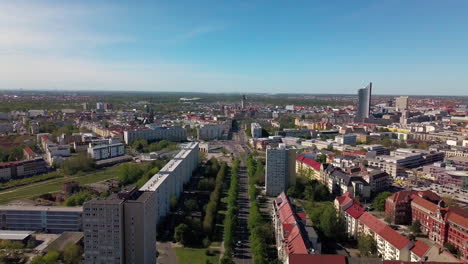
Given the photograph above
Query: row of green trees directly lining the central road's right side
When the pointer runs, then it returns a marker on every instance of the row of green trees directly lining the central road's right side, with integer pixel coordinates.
(255, 223)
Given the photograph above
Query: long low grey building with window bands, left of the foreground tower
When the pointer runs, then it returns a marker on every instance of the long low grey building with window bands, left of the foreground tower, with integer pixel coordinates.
(50, 219)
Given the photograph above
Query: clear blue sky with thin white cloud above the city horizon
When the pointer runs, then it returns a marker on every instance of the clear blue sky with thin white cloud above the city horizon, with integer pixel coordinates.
(403, 47)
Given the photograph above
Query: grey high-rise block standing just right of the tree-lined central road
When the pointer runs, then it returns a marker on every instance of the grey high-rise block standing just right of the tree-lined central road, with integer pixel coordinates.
(280, 169)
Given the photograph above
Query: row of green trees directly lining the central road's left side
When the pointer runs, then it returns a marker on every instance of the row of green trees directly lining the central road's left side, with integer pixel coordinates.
(230, 222)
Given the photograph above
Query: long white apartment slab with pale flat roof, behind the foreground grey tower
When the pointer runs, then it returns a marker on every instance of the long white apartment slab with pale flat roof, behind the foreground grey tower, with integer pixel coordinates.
(169, 181)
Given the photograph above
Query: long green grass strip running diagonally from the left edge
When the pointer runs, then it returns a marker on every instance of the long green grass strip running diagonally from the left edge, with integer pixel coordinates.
(54, 185)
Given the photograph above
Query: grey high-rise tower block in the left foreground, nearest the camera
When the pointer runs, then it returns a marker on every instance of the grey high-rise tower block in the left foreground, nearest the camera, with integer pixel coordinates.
(120, 228)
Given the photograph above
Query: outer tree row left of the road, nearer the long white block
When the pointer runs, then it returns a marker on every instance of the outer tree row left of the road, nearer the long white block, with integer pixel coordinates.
(212, 206)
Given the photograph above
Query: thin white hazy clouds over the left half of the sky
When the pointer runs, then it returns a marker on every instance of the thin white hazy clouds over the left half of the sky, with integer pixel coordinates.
(41, 44)
